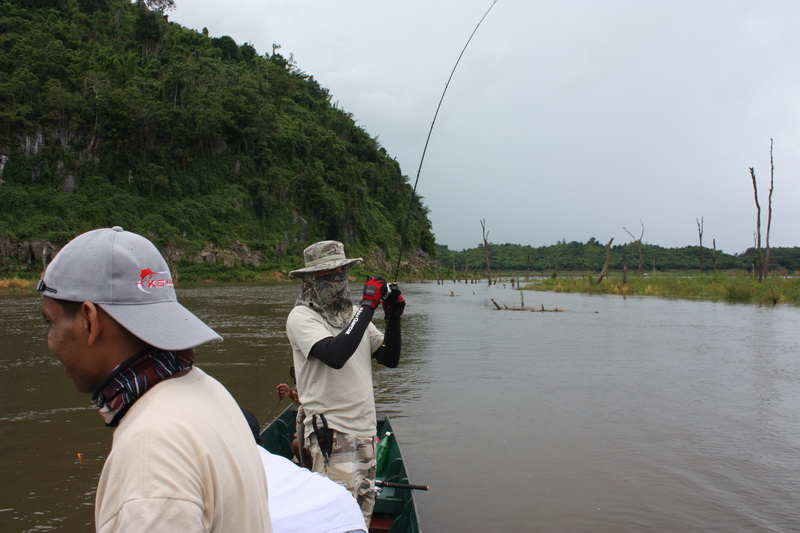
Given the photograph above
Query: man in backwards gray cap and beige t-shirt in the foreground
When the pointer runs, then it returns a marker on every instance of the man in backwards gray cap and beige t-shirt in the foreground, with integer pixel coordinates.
(182, 457)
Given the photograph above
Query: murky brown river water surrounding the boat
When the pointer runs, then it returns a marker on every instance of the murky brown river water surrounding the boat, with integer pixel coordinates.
(613, 415)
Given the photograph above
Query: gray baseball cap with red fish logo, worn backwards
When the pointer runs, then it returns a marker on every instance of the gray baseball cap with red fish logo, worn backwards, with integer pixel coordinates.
(125, 275)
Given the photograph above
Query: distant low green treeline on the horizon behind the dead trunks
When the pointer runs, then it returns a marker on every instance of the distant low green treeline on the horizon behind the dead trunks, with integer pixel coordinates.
(590, 256)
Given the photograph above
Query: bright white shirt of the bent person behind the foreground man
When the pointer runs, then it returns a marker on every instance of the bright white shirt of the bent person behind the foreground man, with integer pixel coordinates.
(301, 501)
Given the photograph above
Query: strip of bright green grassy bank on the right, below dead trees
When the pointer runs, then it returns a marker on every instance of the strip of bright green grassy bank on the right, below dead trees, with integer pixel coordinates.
(738, 288)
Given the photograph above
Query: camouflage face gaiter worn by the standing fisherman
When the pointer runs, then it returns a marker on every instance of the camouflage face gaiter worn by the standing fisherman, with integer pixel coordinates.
(329, 296)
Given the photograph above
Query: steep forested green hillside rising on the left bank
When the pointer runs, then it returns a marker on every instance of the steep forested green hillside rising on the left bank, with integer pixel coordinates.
(110, 114)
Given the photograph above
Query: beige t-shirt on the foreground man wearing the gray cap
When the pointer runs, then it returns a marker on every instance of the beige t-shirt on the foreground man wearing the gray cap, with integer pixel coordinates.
(183, 460)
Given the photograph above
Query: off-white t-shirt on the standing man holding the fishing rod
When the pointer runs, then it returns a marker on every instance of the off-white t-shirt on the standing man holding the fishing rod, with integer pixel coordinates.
(345, 395)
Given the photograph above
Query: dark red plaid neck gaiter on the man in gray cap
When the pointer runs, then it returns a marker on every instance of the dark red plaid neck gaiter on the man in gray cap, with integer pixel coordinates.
(118, 392)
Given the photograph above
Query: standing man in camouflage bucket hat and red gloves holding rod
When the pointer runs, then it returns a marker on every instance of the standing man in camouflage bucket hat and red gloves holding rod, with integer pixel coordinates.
(333, 344)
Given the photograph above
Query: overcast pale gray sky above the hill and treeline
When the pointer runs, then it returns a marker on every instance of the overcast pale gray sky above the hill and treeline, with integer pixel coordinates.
(565, 119)
